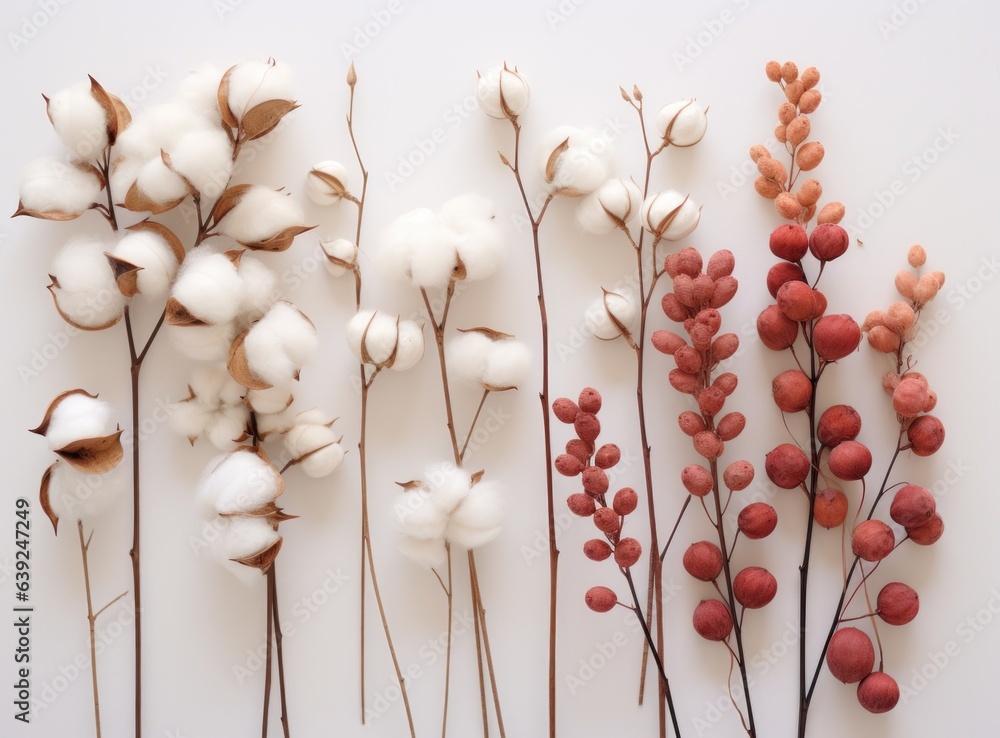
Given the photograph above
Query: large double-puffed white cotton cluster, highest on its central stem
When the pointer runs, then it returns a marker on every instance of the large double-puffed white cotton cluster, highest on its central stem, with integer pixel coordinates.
(430, 250)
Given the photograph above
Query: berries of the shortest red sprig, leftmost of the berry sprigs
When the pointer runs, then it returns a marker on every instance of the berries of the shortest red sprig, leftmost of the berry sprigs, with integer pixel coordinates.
(584, 459)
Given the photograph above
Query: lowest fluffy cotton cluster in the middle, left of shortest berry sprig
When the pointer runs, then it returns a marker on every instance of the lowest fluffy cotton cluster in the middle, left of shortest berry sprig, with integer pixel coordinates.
(452, 507)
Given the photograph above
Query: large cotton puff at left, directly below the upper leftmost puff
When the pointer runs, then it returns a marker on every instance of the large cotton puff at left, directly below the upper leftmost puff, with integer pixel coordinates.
(87, 293)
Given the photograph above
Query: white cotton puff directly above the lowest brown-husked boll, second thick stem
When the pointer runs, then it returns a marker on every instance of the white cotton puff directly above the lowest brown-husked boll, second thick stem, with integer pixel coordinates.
(239, 482)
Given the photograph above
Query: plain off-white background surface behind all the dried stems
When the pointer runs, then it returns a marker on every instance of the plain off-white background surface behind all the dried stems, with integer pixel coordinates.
(895, 76)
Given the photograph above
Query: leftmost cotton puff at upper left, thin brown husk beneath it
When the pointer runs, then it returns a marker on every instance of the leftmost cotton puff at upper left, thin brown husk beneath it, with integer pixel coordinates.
(51, 185)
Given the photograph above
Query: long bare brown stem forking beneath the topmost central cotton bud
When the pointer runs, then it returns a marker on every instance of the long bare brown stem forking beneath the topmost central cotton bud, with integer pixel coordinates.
(536, 221)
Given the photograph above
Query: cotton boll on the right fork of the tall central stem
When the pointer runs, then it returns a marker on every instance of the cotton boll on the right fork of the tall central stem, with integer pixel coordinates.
(582, 167)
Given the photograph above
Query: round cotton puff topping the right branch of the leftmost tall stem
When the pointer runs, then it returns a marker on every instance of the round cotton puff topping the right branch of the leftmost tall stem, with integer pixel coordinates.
(209, 286)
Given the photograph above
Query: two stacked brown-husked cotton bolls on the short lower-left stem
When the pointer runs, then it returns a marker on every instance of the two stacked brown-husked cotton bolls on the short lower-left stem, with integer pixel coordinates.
(81, 430)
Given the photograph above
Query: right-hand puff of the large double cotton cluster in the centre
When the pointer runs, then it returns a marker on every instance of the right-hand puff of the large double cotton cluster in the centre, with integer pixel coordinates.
(479, 241)
